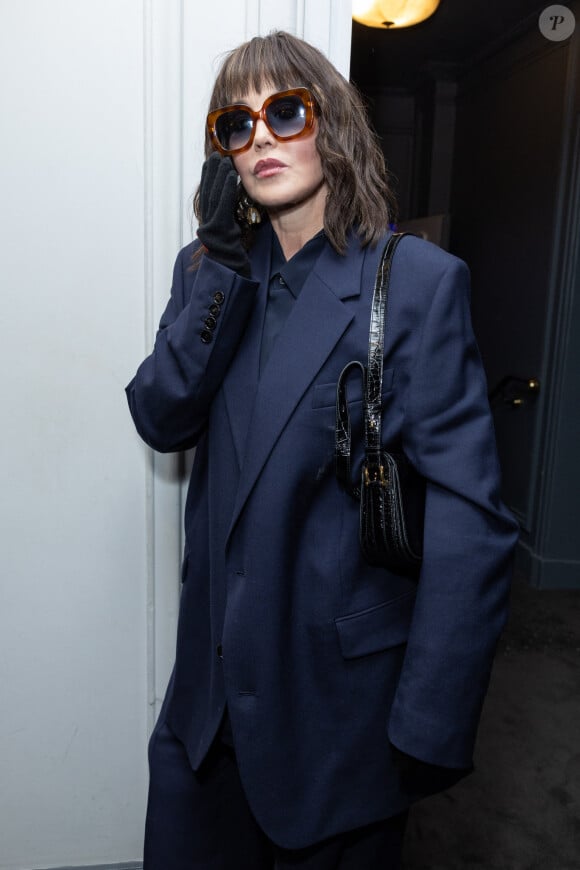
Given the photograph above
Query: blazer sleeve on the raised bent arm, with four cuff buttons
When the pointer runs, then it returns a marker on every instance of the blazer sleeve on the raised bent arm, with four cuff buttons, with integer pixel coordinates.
(171, 393)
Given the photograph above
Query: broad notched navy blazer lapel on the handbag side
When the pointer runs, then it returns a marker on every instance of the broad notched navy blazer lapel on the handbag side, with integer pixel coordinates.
(316, 323)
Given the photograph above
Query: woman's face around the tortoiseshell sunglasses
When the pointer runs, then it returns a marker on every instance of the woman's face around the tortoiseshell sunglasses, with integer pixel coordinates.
(282, 176)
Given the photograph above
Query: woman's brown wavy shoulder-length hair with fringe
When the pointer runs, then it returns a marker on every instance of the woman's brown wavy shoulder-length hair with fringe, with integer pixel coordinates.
(353, 164)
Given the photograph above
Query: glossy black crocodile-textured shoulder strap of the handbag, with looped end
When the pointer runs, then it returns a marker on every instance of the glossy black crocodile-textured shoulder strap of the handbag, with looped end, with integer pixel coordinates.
(372, 378)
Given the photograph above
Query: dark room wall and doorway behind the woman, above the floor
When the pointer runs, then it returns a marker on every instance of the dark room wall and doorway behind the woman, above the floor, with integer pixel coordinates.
(479, 117)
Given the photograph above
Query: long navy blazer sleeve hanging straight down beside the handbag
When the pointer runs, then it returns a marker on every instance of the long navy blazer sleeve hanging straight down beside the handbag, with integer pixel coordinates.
(462, 594)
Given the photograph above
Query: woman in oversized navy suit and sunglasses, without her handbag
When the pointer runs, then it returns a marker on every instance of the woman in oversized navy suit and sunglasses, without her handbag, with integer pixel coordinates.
(314, 697)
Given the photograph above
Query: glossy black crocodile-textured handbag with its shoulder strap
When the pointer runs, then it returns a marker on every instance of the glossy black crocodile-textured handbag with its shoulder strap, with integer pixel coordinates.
(391, 492)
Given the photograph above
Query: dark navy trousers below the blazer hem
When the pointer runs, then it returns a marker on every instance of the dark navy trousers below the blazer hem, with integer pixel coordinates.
(201, 821)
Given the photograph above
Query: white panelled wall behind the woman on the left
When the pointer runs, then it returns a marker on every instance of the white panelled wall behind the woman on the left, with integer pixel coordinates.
(100, 106)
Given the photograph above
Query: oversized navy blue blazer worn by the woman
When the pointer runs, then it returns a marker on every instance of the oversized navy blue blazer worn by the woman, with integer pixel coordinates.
(326, 662)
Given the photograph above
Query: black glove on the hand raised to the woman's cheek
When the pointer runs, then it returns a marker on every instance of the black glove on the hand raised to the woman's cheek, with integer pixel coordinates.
(219, 231)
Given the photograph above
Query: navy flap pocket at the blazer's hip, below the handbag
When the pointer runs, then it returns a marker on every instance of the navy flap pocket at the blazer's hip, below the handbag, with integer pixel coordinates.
(377, 628)
